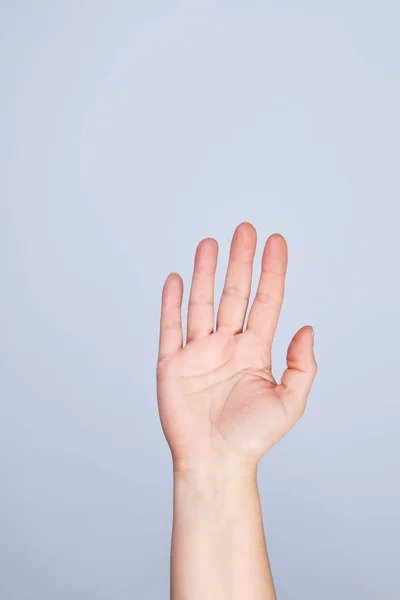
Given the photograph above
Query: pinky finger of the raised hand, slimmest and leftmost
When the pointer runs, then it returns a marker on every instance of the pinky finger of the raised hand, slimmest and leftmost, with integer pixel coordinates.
(171, 338)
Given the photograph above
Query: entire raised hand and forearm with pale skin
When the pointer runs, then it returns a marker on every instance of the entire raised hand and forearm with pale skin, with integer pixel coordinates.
(221, 410)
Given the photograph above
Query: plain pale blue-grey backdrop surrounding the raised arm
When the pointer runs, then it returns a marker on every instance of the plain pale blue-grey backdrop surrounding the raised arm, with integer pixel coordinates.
(129, 131)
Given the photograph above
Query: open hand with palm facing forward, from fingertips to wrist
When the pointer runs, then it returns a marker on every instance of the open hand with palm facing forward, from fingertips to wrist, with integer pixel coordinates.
(218, 399)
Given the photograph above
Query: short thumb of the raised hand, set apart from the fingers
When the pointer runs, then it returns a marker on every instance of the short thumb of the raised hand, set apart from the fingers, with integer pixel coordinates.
(301, 370)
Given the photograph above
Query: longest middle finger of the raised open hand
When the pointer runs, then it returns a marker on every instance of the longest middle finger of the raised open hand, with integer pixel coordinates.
(236, 292)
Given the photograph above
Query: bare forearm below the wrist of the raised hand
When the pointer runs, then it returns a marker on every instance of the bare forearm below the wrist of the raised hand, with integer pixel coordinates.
(218, 546)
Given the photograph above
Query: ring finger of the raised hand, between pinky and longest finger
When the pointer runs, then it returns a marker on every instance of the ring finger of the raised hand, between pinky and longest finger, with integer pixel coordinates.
(200, 321)
